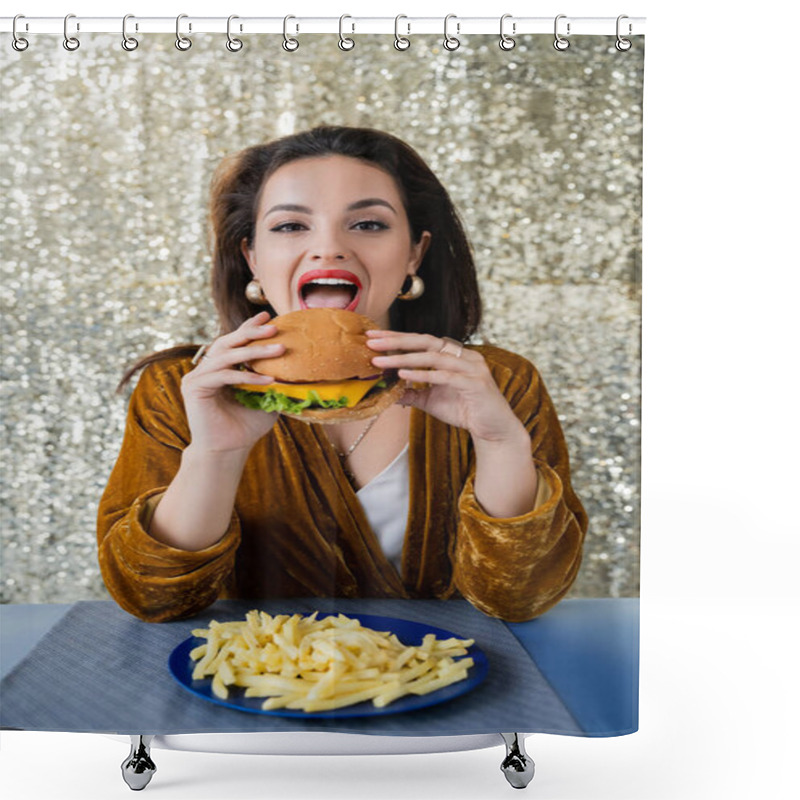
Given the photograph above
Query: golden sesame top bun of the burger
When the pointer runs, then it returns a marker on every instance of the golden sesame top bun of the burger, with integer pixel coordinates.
(322, 344)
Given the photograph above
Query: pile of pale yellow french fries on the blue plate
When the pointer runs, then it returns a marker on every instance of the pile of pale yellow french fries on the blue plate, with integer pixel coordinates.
(301, 662)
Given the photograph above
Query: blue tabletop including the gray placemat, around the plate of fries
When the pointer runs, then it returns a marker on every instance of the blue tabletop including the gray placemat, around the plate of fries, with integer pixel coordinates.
(580, 675)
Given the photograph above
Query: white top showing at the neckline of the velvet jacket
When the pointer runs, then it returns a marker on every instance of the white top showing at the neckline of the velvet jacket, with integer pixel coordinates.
(385, 502)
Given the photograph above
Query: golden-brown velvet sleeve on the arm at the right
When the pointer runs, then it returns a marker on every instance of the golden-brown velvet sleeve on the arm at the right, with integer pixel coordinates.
(517, 568)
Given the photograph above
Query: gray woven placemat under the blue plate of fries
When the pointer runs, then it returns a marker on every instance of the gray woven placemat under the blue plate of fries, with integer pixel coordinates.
(101, 670)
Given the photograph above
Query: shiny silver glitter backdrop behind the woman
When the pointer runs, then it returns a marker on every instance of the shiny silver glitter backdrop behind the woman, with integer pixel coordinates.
(106, 158)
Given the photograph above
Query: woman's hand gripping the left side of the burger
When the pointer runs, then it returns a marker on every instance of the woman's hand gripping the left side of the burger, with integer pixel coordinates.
(218, 423)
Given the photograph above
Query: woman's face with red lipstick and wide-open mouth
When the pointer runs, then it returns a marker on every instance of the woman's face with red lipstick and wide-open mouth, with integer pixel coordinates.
(332, 231)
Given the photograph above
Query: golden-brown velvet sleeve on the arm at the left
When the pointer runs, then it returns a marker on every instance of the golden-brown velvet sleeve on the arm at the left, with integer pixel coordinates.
(147, 578)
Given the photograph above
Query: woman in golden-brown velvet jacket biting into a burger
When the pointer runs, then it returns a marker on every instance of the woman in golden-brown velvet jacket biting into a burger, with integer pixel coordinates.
(461, 489)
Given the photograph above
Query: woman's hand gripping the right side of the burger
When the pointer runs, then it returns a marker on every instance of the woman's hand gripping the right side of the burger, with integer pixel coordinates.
(458, 387)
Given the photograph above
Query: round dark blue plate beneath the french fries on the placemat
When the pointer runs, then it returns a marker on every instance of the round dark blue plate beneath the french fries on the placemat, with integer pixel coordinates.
(410, 633)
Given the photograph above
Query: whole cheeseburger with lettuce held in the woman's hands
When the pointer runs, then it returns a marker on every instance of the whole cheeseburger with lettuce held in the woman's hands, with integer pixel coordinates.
(325, 374)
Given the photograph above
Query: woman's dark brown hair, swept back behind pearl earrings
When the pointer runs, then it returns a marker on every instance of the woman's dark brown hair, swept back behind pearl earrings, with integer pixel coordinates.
(450, 305)
